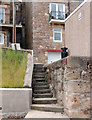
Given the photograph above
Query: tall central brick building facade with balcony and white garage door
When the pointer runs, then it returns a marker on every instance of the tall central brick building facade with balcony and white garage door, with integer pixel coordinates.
(46, 35)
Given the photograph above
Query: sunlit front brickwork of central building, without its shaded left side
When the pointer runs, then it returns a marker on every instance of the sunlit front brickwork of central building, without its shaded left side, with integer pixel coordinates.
(43, 32)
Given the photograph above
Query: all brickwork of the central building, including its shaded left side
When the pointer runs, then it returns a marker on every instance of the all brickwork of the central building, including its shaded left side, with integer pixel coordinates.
(39, 35)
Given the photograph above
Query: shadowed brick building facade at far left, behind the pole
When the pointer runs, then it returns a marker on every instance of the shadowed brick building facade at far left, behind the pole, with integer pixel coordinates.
(6, 23)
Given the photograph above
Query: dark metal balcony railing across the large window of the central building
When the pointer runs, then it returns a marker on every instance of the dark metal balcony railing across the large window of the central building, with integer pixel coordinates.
(58, 15)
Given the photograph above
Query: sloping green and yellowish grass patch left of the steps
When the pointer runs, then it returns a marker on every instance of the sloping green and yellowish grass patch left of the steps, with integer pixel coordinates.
(13, 69)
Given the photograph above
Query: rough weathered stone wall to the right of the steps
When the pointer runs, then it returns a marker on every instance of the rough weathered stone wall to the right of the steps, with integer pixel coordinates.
(70, 82)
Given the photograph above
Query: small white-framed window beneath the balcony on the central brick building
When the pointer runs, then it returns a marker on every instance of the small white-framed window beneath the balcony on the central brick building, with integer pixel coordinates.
(57, 34)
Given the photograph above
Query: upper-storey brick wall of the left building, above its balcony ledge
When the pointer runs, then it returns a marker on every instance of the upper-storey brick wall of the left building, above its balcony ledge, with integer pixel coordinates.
(9, 11)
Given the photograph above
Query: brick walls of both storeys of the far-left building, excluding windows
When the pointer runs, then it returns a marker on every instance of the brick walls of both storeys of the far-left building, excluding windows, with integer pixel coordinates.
(7, 30)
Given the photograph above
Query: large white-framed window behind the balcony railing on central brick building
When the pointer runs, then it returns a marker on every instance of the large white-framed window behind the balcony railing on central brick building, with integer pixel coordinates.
(57, 11)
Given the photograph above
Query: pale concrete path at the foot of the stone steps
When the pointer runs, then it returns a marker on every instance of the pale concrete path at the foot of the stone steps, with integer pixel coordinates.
(42, 114)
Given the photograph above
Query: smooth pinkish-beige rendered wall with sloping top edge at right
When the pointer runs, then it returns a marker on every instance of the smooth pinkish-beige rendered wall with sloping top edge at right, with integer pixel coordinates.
(77, 32)
